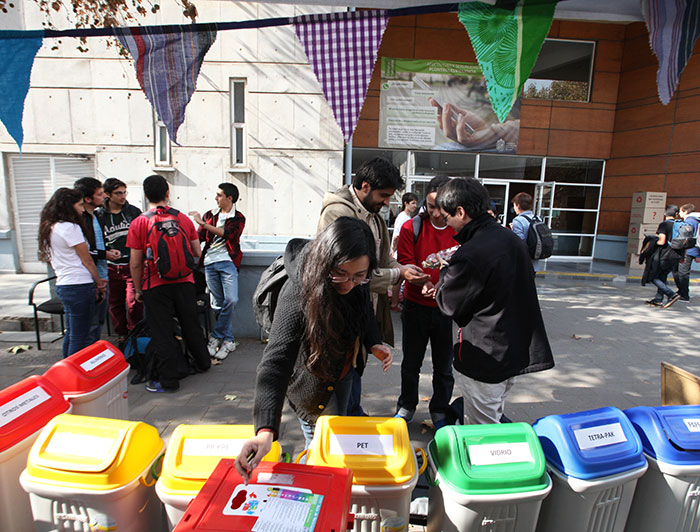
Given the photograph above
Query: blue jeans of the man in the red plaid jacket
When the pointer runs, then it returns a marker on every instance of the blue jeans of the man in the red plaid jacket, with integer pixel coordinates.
(222, 282)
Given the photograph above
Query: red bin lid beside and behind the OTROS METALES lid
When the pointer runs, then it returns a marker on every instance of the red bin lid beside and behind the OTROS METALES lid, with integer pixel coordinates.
(88, 369)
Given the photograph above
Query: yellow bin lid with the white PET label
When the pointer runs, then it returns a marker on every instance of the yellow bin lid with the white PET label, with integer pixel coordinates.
(377, 449)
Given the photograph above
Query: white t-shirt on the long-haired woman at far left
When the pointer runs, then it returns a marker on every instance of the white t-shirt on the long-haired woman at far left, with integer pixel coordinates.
(64, 259)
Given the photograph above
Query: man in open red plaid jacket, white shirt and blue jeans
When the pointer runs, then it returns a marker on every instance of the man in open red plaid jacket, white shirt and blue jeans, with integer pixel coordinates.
(221, 230)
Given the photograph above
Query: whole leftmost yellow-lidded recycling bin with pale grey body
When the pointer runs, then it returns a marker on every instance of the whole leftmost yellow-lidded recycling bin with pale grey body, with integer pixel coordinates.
(89, 473)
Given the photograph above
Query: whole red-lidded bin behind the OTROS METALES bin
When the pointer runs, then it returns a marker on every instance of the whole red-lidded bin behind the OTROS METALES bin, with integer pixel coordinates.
(94, 380)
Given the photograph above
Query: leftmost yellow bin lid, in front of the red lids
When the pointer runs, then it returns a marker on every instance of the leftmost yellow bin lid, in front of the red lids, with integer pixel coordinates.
(92, 453)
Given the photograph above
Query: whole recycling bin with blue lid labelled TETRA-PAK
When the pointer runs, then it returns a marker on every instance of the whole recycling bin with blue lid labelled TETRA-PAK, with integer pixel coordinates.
(594, 459)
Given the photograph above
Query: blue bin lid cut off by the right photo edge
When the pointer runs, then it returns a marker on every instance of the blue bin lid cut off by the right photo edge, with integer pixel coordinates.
(669, 434)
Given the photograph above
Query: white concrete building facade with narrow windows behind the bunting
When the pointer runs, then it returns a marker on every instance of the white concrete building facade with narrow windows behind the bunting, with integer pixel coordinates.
(258, 119)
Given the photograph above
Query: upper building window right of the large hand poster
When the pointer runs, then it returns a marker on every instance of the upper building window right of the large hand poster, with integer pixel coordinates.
(562, 72)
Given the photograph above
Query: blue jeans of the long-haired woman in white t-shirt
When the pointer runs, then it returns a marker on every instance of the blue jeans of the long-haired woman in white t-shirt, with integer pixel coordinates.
(79, 307)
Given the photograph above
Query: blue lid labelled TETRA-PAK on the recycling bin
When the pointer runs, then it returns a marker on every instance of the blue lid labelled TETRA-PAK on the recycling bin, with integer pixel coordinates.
(592, 444)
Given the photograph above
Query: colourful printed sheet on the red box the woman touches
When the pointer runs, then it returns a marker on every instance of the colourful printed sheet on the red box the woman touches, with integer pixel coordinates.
(277, 508)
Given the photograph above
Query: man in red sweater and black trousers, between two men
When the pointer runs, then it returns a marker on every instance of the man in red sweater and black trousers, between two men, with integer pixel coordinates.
(422, 320)
